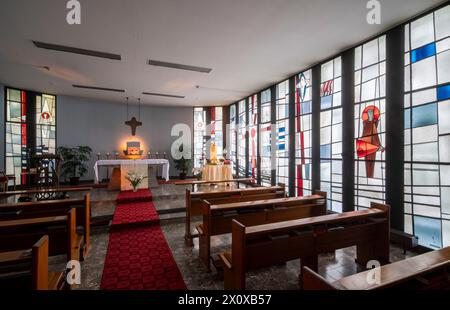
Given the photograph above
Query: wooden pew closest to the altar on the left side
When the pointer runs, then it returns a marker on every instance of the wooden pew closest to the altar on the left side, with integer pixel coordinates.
(49, 208)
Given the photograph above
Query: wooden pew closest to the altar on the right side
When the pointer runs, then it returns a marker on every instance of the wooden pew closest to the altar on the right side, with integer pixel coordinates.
(194, 201)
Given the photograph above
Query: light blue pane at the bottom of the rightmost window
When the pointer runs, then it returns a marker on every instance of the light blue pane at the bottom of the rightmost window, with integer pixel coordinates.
(429, 232)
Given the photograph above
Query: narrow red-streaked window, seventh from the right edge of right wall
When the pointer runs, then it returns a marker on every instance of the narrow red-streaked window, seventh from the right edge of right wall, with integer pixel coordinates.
(253, 136)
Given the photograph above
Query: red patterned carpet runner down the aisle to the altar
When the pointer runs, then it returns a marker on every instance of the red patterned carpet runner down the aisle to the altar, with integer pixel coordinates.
(139, 258)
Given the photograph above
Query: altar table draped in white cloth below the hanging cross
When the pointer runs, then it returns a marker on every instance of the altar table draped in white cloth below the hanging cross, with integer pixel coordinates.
(140, 166)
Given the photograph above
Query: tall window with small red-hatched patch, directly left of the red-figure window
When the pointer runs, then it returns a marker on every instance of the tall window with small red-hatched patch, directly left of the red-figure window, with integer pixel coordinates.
(331, 133)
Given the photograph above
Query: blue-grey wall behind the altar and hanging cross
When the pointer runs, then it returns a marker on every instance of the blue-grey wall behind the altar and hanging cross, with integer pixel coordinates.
(100, 125)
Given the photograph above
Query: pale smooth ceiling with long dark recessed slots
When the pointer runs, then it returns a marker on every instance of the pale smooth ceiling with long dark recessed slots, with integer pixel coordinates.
(249, 44)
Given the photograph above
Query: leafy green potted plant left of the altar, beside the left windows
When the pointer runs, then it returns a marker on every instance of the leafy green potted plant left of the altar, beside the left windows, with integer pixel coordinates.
(74, 162)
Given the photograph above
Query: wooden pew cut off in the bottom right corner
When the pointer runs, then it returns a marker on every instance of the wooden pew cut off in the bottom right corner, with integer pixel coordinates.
(422, 271)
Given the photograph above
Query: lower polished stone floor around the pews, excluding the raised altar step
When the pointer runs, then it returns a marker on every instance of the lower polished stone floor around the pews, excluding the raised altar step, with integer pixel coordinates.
(284, 277)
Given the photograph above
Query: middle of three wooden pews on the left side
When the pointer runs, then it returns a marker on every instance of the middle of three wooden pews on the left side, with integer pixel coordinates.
(19, 234)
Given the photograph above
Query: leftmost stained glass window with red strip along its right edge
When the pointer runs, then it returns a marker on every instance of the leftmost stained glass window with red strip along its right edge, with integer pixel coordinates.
(16, 134)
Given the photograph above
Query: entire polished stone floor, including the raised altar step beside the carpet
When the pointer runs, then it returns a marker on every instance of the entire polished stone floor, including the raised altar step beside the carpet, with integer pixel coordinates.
(169, 196)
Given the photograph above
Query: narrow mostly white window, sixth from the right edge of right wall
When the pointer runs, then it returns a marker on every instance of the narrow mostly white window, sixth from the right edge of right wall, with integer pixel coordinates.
(266, 138)
